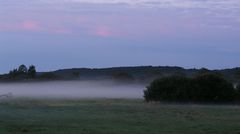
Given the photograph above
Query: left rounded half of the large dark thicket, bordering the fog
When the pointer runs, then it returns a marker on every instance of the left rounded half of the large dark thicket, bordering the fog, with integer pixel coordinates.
(169, 89)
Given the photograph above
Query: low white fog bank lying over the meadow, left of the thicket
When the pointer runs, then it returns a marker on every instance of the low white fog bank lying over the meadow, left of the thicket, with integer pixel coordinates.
(72, 89)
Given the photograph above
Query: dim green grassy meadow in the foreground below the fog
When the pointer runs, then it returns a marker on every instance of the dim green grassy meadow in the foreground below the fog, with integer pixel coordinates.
(35, 116)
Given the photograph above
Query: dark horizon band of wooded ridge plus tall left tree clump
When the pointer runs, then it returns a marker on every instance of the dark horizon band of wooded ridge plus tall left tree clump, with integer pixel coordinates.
(142, 74)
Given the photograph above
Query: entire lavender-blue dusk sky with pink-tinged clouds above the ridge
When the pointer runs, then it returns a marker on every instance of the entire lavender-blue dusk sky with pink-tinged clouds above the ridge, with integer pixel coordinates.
(57, 34)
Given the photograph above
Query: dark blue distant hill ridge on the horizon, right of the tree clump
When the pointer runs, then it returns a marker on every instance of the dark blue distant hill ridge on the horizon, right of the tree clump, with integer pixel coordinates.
(142, 73)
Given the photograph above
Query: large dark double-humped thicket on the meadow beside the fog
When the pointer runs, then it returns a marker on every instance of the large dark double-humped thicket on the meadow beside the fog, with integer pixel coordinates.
(206, 87)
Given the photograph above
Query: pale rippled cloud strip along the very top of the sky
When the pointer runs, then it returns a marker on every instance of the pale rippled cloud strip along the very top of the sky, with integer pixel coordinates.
(211, 4)
